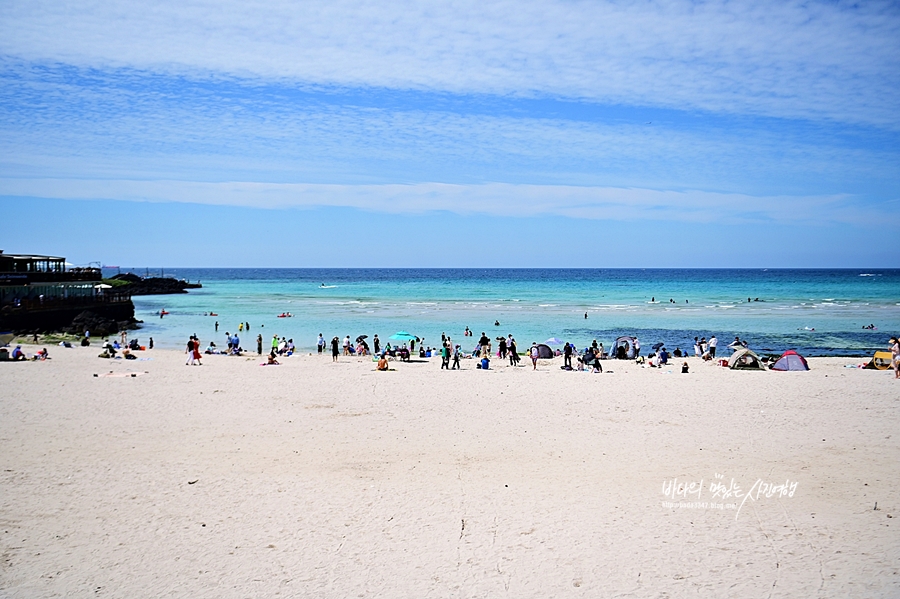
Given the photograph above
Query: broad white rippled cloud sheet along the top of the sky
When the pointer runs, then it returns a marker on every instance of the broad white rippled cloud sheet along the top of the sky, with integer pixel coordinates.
(809, 60)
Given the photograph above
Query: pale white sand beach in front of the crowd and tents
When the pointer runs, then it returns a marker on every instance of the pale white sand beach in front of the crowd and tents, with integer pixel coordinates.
(314, 479)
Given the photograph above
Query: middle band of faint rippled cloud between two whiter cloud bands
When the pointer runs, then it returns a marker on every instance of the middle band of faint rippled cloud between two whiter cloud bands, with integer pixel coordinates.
(120, 126)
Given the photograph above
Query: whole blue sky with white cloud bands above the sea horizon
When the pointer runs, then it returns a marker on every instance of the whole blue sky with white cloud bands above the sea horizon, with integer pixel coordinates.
(648, 134)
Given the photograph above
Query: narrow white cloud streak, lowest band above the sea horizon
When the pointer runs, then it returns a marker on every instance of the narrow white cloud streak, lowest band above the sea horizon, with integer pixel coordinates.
(496, 199)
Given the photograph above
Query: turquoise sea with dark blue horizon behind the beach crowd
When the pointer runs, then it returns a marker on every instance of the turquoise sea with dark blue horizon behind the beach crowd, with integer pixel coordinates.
(817, 312)
